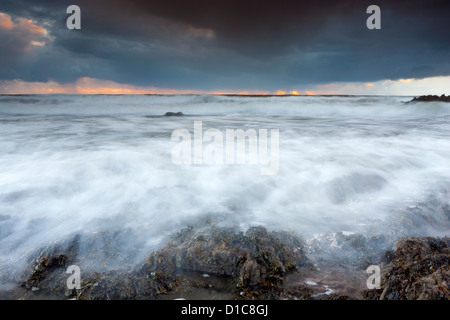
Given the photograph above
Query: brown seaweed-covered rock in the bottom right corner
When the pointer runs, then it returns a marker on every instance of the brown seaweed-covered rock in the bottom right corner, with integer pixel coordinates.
(419, 269)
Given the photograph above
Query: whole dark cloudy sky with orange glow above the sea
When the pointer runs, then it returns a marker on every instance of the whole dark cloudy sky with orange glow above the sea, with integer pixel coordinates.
(225, 46)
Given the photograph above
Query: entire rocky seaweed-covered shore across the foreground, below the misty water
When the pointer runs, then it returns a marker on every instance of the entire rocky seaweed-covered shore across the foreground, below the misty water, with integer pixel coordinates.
(214, 262)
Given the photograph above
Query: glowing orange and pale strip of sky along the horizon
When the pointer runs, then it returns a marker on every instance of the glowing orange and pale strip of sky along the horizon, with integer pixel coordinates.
(87, 85)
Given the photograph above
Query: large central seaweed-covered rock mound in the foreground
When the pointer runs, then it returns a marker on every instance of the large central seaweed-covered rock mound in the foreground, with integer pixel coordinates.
(256, 258)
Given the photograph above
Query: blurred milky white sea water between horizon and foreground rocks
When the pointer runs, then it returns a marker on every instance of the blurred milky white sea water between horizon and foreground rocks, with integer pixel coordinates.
(74, 163)
